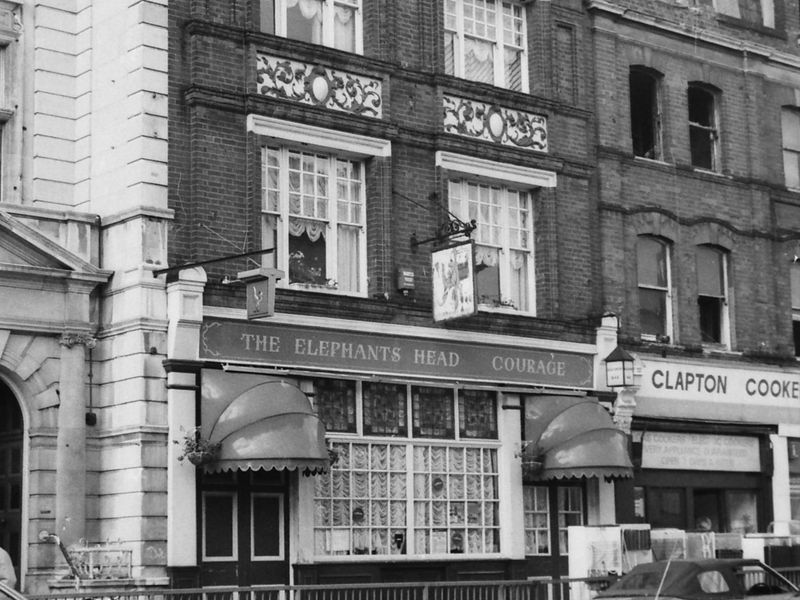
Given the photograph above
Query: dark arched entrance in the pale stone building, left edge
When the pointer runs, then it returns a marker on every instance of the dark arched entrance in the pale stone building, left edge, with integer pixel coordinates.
(10, 474)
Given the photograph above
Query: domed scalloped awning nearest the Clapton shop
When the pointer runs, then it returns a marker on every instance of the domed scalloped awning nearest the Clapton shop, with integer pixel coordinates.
(572, 437)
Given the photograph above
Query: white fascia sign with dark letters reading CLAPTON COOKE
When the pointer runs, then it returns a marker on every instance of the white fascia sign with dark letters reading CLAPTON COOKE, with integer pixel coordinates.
(665, 379)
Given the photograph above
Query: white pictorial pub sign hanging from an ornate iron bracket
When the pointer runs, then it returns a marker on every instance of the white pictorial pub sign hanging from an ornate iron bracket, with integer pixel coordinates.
(453, 271)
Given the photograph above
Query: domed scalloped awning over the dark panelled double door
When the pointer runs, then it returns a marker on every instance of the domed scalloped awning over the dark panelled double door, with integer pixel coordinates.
(261, 423)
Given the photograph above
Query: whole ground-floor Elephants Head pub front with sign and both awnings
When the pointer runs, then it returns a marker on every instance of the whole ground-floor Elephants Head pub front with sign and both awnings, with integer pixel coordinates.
(354, 451)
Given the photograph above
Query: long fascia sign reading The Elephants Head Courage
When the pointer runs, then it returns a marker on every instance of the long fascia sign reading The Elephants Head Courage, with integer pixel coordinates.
(303, 347)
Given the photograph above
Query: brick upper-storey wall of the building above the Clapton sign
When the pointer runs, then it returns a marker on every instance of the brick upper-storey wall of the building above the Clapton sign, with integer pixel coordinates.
(735, 206)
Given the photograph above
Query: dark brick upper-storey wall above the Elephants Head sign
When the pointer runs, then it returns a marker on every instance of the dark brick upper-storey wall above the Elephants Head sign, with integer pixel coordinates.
(215, 178)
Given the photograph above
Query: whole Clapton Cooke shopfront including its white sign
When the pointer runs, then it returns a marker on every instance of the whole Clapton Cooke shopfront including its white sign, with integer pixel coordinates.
(711, 444)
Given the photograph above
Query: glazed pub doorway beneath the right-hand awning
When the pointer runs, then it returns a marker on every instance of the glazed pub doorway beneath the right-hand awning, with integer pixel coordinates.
(549, 509)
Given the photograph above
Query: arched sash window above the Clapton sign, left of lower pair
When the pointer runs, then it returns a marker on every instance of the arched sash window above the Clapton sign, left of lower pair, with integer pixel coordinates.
(655, 315)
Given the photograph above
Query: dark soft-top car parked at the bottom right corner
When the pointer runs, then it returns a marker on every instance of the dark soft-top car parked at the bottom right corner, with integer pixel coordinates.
(729, 578)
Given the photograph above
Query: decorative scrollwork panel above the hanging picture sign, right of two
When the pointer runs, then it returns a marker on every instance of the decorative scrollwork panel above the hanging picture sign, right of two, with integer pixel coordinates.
(493, 123)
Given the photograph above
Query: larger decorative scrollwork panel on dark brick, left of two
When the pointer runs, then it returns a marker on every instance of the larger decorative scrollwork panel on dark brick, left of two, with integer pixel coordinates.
(318, 86)
